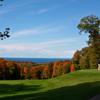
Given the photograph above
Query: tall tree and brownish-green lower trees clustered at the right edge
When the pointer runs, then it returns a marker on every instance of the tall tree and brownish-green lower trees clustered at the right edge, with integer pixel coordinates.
(87, 57)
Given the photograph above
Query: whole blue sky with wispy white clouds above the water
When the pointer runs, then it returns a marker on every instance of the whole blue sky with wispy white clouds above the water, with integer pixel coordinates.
(44, 28)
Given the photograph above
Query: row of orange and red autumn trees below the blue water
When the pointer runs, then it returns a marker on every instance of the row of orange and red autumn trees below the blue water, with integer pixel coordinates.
(11, 70)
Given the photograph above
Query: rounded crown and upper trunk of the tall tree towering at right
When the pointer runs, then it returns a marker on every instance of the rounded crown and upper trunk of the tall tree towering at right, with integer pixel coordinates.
(91, 25)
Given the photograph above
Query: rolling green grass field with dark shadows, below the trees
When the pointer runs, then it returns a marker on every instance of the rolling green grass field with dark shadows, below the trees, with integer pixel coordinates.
(80, 85)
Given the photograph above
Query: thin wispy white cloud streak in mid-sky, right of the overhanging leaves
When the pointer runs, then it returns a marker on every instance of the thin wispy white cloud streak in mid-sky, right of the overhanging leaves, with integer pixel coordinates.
(38, 30)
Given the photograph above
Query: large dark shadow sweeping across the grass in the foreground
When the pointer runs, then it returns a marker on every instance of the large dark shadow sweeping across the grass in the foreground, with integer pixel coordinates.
(77, 92)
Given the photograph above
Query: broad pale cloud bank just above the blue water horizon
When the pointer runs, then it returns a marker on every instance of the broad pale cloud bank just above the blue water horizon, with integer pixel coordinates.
(43, 49)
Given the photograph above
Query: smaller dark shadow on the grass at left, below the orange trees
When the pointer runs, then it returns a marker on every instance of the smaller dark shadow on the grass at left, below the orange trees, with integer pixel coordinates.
(6, 89)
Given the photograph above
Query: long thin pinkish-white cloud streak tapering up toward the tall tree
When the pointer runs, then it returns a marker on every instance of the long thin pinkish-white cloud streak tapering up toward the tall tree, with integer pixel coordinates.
(34, 46)
